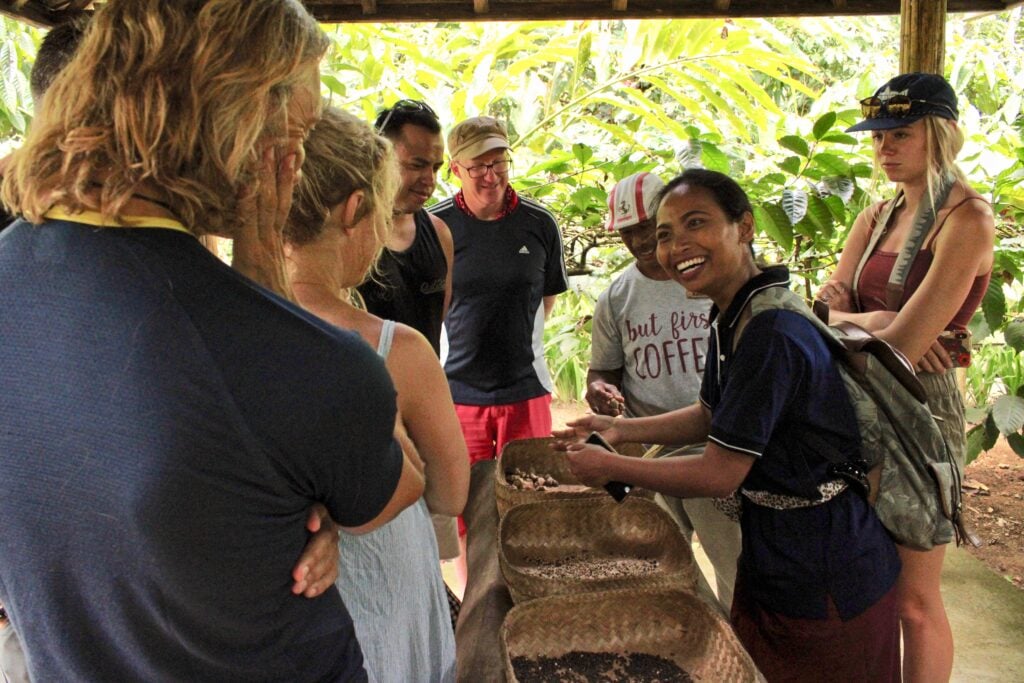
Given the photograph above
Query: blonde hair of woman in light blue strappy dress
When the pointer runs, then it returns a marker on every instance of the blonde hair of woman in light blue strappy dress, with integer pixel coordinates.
(345, 155)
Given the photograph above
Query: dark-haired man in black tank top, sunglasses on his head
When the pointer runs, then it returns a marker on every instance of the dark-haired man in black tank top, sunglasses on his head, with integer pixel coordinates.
(414, 281)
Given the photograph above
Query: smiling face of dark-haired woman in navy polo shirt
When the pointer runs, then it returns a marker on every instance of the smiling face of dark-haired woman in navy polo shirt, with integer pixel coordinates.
(701, 247)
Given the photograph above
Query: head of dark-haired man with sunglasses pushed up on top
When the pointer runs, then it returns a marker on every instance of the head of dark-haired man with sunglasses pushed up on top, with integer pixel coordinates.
(416, 134)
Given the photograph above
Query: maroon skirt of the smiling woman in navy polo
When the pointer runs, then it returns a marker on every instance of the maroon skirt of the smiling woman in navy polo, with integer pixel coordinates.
(865, 649)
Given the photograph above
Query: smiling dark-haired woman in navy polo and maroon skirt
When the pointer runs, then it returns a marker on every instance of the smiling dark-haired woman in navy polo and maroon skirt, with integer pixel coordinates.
(816, 588)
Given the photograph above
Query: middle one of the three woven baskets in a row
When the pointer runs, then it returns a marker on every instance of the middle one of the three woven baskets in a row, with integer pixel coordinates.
(599, 529)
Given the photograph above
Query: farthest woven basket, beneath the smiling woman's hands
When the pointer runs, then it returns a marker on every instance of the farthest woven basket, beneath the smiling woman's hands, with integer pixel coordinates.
(536, 455)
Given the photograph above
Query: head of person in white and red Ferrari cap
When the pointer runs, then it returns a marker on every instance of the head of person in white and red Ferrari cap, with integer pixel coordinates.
(632, 210)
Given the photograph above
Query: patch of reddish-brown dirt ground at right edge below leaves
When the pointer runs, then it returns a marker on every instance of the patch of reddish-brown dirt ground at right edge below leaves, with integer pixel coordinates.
(994, 502)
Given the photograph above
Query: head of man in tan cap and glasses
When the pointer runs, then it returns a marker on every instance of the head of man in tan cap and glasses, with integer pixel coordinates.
(480, 150)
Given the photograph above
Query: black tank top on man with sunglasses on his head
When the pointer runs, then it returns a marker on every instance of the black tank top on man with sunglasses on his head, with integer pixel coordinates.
(410, 285)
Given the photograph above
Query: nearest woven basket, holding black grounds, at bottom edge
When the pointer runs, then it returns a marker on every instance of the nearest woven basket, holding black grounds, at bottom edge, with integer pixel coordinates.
(673, 625)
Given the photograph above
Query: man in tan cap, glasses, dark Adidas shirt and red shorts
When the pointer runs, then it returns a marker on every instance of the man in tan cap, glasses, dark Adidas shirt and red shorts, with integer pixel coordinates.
(508, 270)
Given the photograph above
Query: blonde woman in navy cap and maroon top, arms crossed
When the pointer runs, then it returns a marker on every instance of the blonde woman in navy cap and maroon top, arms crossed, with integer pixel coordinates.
(913, 122)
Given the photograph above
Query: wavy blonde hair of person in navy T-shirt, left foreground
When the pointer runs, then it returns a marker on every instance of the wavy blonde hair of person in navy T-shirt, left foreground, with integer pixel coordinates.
(175, 95)
